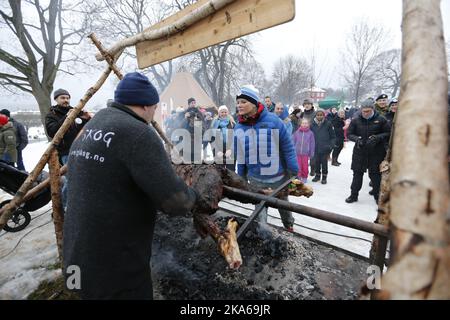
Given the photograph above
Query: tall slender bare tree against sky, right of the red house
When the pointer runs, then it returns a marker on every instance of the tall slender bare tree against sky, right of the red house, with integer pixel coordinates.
(363, 44)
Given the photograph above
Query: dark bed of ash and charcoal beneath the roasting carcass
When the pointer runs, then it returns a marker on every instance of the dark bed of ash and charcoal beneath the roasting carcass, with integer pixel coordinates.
(276, 265)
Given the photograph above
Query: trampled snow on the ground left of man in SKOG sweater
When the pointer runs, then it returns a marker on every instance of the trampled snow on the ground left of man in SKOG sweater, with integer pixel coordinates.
(28, 257)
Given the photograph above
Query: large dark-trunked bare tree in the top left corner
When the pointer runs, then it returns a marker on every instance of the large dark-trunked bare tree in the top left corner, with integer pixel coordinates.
(43, 41)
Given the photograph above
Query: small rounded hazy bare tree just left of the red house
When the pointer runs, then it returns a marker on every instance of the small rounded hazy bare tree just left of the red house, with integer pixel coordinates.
(291, 74)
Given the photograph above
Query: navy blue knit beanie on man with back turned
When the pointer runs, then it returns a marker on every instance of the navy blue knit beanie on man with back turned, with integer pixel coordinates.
(136, 90)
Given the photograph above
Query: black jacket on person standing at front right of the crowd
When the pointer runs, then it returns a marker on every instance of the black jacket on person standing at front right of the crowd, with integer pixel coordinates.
(368, 156)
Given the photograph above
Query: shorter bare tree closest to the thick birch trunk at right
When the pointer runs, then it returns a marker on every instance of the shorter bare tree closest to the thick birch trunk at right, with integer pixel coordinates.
(386, 71)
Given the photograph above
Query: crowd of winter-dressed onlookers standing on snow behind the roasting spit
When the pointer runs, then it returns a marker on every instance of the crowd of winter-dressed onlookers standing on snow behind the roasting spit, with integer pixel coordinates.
(317, 136)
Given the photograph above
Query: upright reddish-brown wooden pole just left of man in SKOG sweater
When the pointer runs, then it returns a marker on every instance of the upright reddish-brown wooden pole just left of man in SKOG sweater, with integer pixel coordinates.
(58, 211)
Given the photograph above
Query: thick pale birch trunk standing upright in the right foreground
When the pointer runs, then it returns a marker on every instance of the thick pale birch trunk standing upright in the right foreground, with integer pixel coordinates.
(420, 245)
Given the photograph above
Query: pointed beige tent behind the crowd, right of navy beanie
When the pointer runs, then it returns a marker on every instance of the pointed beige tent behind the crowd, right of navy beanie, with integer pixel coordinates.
(182, 87)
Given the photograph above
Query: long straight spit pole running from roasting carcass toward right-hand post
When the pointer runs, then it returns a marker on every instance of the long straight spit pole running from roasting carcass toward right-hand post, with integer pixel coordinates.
(350, 222)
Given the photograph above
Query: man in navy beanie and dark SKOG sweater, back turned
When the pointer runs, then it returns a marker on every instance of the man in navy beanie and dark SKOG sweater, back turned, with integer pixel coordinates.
(119, 176)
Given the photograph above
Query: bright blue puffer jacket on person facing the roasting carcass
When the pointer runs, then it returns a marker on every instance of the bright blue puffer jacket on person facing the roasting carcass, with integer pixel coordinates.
(259, 154)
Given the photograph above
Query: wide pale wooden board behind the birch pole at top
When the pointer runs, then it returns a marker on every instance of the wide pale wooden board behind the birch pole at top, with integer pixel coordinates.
(238, 19)
